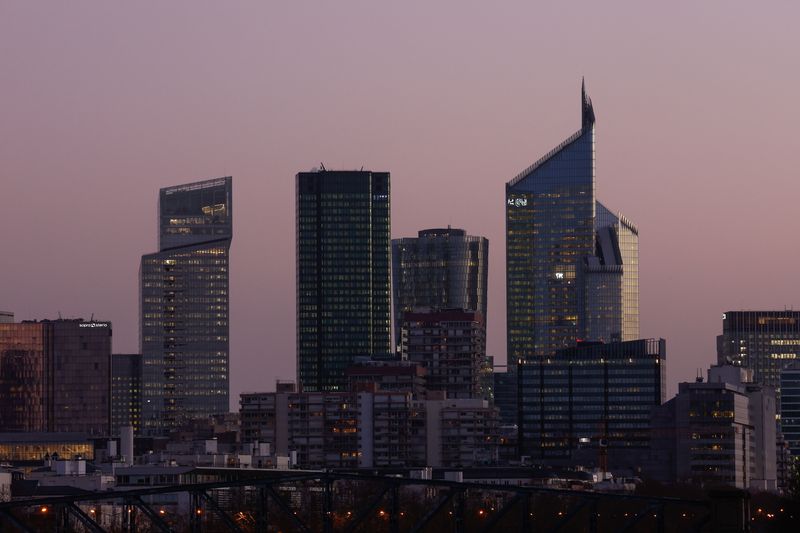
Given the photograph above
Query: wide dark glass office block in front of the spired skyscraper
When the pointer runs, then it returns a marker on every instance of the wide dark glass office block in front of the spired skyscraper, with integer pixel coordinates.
(594, 402)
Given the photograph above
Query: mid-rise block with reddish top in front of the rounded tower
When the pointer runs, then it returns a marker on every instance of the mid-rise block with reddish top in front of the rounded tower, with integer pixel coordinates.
(451, 345)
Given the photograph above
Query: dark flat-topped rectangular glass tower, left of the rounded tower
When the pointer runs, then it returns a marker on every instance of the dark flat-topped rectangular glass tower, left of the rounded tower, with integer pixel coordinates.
(342, 274)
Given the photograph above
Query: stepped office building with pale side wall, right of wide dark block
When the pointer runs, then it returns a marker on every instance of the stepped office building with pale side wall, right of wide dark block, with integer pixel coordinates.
(717, 432)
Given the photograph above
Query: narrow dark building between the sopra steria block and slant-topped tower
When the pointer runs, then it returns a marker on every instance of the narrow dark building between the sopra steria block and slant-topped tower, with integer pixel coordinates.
(126, 391)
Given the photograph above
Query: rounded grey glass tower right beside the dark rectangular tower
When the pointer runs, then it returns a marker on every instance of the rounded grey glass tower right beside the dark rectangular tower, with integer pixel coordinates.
(440, 269)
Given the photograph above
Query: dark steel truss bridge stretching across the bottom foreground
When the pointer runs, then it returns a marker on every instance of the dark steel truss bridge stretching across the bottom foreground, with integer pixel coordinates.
(333, 502)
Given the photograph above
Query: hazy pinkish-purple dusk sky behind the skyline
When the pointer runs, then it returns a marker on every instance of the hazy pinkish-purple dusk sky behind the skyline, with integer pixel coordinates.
(103, 103)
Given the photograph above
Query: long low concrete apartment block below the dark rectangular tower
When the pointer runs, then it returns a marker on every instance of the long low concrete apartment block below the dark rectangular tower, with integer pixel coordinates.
(371, 429)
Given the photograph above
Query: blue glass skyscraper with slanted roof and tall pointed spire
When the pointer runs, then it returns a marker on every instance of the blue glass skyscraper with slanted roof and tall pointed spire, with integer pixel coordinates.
(572, 265)
